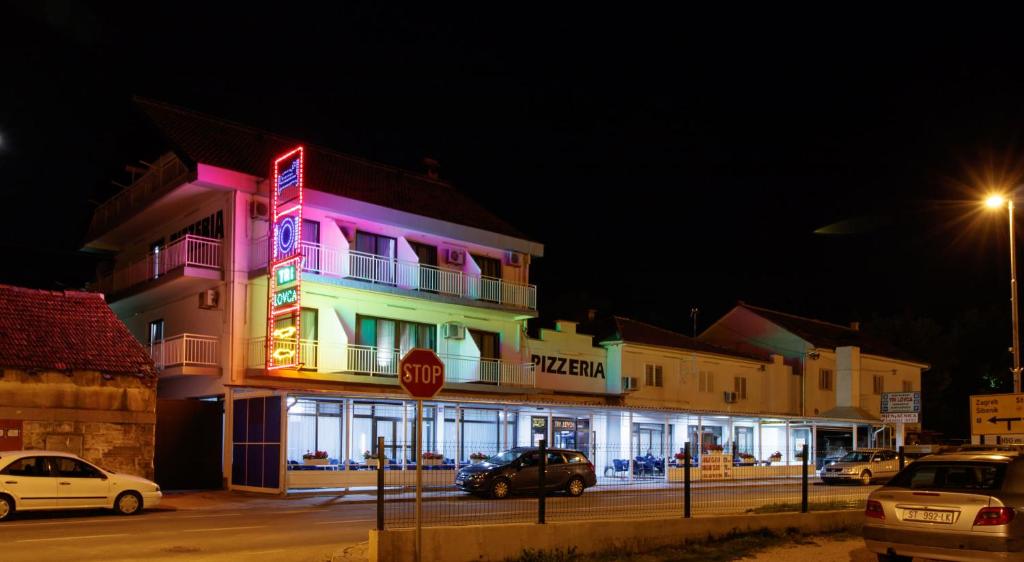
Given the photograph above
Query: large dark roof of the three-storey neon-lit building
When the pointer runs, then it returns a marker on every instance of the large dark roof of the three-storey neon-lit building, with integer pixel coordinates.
(204, 140)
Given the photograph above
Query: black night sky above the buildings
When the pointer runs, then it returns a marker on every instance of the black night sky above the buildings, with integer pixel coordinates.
(828, 167)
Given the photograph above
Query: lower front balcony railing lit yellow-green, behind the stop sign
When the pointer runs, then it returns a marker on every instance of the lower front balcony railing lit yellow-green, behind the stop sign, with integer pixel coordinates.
(382, 365)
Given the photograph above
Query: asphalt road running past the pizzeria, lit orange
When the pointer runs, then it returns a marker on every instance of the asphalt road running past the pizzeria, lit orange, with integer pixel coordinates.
(324, 528)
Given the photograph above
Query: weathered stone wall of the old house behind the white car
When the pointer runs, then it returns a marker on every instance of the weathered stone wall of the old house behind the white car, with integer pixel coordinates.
(109, 420)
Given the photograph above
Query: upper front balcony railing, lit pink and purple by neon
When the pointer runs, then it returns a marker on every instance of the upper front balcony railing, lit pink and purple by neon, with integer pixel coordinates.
(334, 263)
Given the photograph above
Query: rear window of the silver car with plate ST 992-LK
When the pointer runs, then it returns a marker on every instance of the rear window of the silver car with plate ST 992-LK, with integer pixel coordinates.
(951, 475)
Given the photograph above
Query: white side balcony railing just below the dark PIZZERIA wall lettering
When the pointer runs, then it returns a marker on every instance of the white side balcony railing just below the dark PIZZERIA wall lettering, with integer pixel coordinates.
(189, 251)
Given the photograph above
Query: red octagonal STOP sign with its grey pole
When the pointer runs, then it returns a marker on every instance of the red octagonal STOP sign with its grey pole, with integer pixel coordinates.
(421, 374)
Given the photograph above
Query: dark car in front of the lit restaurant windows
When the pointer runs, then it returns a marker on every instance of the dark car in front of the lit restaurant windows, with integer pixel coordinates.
(518, 470)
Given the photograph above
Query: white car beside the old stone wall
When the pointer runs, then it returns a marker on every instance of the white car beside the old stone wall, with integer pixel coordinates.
(32, 481)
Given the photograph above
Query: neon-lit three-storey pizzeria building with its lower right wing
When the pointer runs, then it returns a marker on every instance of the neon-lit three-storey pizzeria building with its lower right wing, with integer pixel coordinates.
(292, 294)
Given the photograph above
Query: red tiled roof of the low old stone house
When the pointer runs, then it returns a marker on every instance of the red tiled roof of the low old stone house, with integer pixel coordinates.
(66, 331)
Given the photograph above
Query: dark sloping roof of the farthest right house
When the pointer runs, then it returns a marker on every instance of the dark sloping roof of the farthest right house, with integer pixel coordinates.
(831, 336)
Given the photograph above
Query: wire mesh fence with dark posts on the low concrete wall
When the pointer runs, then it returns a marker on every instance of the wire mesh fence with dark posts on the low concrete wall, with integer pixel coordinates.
(625, 486)
